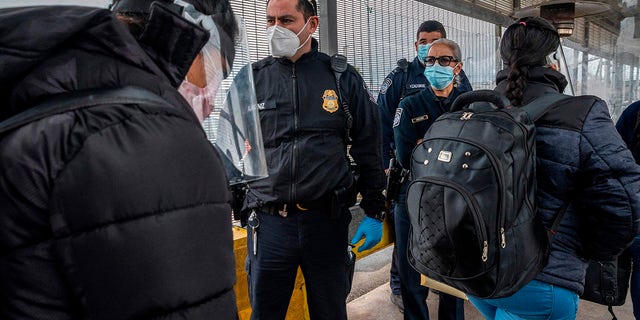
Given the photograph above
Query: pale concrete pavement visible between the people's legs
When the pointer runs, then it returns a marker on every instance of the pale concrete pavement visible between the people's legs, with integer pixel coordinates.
(369, 298)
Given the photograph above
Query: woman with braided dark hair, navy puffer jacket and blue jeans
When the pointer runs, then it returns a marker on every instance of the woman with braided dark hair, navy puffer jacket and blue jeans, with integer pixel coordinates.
(582, 164)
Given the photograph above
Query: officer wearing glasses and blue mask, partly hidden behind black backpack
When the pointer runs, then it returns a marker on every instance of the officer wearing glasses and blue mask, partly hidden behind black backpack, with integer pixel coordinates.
(413, 118)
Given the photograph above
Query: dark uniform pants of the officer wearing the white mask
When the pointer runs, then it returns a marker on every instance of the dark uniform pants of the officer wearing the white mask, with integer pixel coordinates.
(308, 239)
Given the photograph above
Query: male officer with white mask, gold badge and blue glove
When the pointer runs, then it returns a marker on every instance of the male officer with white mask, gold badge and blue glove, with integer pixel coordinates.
(299, 215)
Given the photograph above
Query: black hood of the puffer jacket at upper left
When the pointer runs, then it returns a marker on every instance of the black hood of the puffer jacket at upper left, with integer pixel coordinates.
(50, 50)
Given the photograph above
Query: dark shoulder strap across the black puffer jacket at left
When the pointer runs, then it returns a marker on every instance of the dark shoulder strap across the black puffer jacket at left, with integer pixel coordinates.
(79, 100)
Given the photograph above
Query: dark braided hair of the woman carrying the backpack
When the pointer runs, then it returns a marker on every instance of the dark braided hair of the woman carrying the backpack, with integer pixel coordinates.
(524, 45)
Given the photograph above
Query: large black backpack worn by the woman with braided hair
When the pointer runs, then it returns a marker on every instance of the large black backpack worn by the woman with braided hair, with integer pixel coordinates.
(471, 201)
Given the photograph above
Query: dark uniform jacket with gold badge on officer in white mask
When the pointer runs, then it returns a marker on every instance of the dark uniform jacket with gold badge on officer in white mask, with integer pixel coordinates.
(304, 132)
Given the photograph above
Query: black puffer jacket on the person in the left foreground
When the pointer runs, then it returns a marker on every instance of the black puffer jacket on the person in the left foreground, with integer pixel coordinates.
(114, 211)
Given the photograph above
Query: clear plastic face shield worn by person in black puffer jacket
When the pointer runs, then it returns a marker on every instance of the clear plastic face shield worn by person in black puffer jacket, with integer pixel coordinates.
(227, 107)
